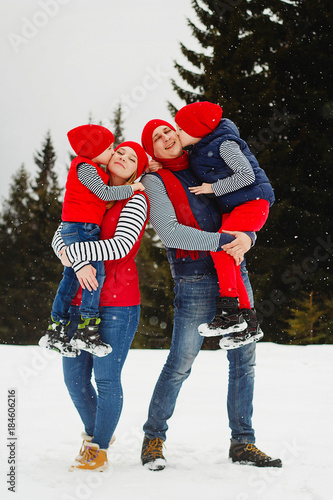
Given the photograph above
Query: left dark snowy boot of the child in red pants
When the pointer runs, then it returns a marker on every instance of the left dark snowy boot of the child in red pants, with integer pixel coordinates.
(228, 319)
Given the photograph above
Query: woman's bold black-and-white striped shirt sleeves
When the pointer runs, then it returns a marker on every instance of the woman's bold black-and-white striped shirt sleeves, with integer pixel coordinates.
(130, 223)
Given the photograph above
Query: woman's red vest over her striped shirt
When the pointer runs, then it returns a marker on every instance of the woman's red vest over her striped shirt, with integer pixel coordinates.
(121, 285)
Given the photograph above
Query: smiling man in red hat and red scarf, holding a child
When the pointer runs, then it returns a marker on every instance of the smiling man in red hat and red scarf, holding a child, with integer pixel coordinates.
(188, 226)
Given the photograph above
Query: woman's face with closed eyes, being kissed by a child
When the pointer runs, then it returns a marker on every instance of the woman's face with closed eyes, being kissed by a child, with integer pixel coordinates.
(122, 165)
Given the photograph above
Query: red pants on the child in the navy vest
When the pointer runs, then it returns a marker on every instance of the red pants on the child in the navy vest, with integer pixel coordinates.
(250, 216)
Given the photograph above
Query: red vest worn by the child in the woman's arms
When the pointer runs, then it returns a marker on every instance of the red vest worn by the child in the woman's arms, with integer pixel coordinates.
(80, 204)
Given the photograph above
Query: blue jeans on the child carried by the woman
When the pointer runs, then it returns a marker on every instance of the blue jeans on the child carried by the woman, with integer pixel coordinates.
(73, 232)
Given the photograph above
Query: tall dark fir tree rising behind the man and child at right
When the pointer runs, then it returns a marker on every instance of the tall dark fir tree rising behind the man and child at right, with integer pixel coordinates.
(268, 64)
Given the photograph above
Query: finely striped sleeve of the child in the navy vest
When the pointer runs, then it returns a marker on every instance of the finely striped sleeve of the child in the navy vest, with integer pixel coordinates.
(243, 174)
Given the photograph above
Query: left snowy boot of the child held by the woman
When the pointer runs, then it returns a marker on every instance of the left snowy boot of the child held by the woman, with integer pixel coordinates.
(56, 339)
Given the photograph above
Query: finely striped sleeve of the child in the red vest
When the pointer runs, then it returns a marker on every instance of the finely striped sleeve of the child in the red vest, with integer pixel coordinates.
(88, 176)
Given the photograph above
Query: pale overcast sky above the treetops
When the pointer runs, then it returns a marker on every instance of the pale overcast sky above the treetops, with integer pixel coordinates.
(63, 60)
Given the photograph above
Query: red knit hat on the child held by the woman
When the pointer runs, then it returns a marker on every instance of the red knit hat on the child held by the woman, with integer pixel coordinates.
(90, 140)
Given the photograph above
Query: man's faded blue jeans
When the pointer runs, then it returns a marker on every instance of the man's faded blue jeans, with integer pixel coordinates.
(195, 303)
